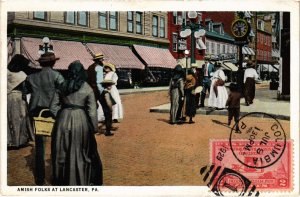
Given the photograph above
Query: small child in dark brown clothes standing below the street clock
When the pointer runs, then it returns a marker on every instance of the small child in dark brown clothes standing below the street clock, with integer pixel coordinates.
(233, 103)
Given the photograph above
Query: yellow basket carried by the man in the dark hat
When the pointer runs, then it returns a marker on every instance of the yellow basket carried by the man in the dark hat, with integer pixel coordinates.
(43, 126)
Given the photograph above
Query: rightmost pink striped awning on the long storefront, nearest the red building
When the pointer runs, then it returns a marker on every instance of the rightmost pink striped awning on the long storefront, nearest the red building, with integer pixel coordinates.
(156, 57)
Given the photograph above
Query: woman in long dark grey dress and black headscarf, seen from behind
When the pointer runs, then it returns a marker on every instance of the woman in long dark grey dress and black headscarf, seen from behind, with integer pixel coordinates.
(75, 159)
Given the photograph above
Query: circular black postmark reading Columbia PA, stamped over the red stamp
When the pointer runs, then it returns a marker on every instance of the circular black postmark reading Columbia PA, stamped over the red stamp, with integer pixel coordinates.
(255, 143)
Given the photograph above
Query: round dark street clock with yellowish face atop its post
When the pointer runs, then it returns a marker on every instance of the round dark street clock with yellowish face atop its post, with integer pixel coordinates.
(240, 29)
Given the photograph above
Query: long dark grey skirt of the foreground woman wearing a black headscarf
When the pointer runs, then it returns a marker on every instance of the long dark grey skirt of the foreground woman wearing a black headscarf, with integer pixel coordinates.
(75, 159)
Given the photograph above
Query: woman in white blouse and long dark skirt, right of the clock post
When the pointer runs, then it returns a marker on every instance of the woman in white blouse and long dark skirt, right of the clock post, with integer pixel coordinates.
(249, 79)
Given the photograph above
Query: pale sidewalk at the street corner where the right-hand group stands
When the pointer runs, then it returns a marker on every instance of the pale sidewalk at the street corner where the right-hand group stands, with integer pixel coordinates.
(265, 101)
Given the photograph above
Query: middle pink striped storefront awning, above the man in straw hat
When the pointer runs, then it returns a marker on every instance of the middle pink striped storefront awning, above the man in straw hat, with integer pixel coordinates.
(120, 56)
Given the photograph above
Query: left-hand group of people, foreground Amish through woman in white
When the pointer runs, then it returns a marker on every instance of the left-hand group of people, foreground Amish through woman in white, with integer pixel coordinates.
(72, 102)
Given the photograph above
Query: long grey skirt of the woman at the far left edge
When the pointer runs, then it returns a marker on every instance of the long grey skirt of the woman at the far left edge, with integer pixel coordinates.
(19, 127)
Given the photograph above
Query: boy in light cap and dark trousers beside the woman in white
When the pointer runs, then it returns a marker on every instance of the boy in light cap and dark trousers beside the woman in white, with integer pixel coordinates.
(107, 102)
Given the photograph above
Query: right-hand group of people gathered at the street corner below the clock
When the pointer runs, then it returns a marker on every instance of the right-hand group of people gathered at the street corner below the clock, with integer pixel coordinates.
(185, 88)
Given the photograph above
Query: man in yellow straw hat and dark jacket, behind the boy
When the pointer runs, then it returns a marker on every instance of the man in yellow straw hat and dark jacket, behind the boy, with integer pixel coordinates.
(96, 75)
